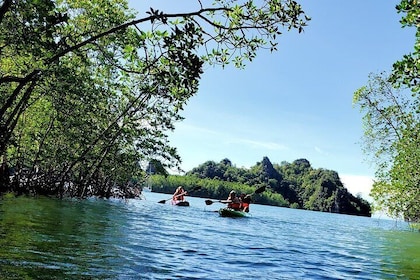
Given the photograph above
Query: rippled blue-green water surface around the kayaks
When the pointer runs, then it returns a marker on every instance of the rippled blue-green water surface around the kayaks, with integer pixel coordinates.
(142, 239)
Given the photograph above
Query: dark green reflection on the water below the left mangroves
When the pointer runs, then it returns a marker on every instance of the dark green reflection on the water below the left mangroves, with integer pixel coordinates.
(53, 239)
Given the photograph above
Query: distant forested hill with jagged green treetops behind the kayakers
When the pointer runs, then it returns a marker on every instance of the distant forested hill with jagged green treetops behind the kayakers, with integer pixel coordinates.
(295, 185)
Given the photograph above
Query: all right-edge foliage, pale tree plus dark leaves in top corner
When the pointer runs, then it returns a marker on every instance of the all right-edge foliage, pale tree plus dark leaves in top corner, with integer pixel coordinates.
(391, 105)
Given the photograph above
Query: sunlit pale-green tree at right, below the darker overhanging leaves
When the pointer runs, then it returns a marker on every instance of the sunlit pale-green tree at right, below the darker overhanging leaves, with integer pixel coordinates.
(391, 135)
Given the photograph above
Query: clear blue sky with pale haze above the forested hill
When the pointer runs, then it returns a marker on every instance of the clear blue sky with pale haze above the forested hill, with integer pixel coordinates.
(296, 102)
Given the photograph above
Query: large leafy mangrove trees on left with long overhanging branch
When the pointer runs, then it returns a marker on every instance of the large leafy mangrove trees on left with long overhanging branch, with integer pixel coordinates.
(88, 90)
